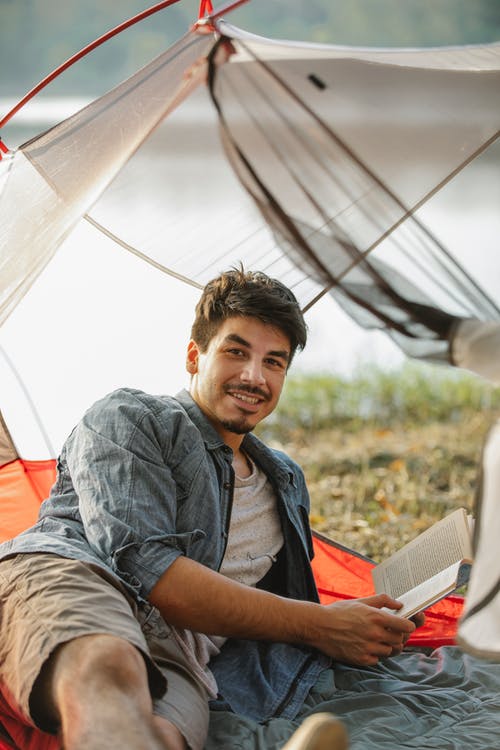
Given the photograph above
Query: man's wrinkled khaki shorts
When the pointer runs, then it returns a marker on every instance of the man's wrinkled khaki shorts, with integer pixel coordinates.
(47, 600)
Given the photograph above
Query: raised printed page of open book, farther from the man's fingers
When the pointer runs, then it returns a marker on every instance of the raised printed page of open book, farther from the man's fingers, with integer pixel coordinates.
(445, 543)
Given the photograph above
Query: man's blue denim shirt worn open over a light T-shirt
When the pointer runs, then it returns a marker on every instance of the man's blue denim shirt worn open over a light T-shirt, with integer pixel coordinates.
(144, 479)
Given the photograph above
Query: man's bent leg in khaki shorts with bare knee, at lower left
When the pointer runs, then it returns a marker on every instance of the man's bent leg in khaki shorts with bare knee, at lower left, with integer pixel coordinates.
(72, 653)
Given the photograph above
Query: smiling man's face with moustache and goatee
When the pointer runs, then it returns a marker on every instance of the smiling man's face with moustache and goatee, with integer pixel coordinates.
(237, 381)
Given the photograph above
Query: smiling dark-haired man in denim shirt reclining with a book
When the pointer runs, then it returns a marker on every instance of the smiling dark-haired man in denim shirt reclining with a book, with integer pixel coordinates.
(170, 564)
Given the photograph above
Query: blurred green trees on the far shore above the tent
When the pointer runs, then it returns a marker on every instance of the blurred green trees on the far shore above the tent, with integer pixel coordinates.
(38, 35)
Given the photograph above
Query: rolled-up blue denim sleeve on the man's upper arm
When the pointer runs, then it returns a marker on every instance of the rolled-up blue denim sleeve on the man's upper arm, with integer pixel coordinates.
(119, 458)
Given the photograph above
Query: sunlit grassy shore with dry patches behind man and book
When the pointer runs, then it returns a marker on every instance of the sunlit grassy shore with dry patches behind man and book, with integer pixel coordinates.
(385, 456)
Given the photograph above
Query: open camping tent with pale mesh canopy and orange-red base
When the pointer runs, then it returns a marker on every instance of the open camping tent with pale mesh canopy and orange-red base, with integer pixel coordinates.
(326, 143)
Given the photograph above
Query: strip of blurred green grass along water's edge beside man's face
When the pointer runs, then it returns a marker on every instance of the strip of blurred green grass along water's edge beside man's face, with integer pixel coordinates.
(415, 394)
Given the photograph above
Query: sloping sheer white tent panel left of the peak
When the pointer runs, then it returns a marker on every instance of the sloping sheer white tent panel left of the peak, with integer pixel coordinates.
(54, 179)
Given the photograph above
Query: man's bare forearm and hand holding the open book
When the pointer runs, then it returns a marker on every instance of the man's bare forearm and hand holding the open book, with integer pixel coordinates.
(357, 631)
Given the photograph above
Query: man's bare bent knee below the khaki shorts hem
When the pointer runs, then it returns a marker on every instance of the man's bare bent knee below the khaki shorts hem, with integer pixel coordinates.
(96, 688)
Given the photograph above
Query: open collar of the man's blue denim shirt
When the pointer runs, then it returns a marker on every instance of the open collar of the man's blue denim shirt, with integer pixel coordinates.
(258, 452)
